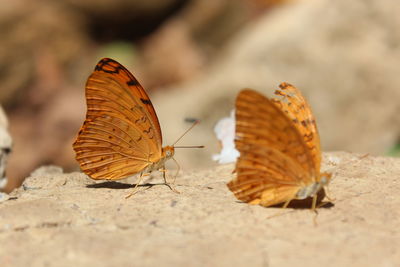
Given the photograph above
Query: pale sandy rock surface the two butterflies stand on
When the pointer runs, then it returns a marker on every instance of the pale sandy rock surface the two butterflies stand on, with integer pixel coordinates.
(66, 219)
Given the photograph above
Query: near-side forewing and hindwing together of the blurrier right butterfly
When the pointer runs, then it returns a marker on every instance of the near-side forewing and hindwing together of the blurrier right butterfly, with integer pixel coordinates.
(274, 159)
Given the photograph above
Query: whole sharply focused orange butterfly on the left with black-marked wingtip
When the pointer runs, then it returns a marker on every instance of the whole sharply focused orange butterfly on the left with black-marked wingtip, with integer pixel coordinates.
(121, 135)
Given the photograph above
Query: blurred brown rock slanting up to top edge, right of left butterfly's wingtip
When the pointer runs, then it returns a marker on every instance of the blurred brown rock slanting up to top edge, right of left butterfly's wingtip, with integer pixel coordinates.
(183, 46)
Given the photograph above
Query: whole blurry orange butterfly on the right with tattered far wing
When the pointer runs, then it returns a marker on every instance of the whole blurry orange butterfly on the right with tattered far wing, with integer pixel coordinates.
(279, 147)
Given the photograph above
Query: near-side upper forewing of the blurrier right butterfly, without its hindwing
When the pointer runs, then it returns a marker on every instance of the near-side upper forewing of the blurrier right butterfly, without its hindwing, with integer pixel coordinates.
(260, 122)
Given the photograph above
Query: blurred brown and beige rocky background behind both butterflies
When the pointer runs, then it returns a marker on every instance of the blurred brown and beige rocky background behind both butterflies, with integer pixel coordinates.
(193, 56)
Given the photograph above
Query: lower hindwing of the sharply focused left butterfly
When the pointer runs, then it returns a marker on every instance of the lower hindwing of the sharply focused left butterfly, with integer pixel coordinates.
(106, 151)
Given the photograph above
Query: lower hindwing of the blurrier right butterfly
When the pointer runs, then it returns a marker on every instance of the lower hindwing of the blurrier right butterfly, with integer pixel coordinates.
(265, 176)
